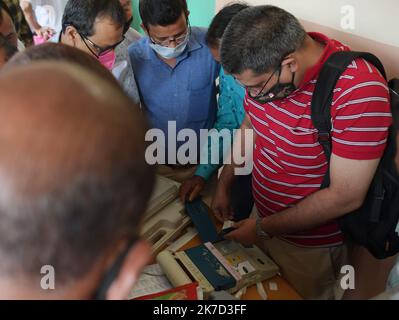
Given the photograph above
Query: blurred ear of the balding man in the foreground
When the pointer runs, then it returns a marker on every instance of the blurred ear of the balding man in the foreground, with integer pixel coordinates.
(137, 258)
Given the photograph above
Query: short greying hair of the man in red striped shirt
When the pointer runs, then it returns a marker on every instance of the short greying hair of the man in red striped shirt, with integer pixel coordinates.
(258, 38)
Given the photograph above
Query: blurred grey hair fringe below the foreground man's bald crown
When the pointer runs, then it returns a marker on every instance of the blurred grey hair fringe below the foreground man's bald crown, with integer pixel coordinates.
(72, 227)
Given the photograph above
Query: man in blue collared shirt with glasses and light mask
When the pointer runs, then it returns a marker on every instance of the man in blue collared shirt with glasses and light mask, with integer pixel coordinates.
(175, 73)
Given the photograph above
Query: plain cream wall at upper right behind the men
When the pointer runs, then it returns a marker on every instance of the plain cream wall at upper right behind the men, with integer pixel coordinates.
(376, 24)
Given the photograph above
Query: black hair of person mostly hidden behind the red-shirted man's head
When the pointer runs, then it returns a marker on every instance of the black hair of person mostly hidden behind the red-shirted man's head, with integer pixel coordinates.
(221, 21)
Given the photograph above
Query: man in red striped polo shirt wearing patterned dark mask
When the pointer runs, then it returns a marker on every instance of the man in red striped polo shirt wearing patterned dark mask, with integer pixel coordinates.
(269, 52)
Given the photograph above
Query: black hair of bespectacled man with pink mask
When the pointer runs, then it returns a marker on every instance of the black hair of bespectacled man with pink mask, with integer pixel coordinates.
(82, 14)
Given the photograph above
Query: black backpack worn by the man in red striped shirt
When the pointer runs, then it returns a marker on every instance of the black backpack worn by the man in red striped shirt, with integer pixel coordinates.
(374, 225)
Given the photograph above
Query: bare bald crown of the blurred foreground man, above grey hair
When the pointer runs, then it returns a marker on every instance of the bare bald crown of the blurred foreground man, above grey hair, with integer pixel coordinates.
(79, 124)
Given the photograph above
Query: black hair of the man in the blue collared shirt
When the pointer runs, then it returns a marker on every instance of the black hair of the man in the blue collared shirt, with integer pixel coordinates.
(161, 12)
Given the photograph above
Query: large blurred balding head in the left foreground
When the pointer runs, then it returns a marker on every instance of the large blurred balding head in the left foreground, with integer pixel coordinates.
(73, 177)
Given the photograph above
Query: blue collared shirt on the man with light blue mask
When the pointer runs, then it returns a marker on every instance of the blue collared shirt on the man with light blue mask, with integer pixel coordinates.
(186, 93)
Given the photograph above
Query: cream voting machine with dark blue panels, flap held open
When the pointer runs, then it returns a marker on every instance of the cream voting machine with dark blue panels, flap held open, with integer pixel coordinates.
(217, 264)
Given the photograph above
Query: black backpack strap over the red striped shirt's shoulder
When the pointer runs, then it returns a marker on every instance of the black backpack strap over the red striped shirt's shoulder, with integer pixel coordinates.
(330, 73)
